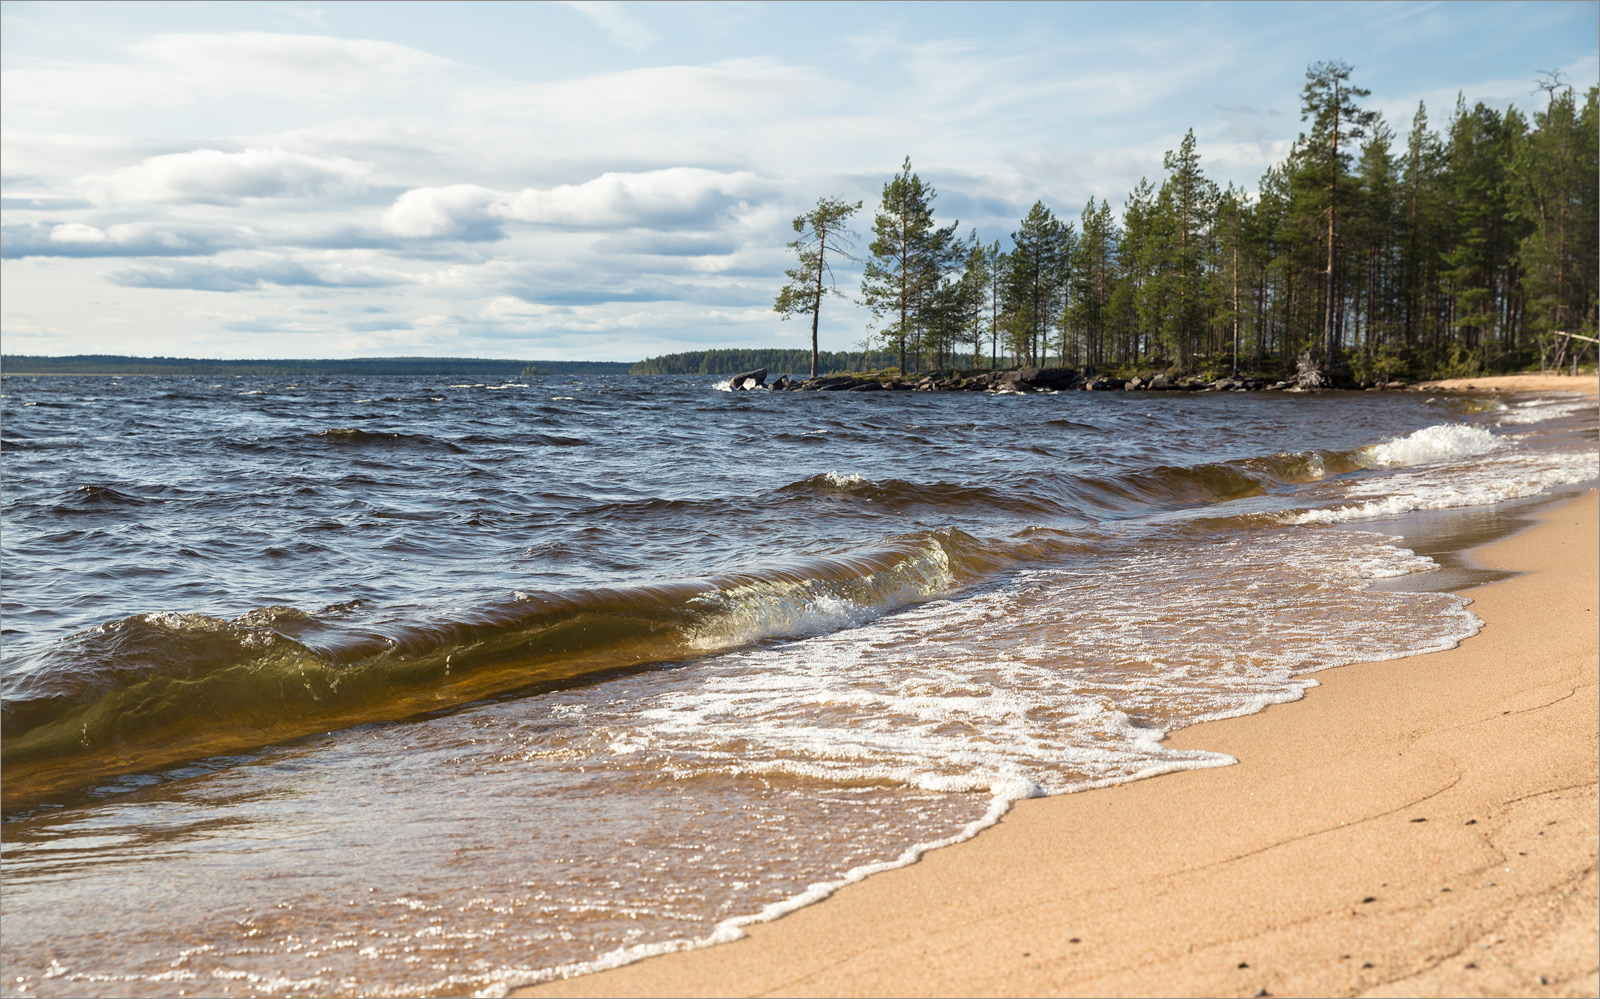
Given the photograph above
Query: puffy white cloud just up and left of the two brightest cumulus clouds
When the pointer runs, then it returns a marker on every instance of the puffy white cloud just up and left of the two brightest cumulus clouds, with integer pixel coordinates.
(212, 177)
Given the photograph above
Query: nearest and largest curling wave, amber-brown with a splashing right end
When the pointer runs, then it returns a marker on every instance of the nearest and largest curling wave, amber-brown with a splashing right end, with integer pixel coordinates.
(159, 689)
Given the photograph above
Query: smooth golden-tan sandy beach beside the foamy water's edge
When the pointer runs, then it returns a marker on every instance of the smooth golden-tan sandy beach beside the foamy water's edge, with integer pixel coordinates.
(1423, 827)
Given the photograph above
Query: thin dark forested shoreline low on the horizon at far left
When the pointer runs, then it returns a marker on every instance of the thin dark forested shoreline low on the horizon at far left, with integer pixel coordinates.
(463, 367)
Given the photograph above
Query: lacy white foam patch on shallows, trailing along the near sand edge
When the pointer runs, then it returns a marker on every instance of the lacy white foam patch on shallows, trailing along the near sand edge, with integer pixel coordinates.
(1057, 681)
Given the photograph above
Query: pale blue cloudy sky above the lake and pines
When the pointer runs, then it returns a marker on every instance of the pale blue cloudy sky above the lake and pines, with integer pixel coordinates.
(609, 182)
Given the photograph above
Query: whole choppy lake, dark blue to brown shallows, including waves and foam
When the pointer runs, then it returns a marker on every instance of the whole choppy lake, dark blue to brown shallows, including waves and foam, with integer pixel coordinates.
(406, 688)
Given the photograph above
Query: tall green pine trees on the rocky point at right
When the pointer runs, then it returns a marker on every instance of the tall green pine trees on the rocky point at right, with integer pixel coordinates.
(1364, 255)
